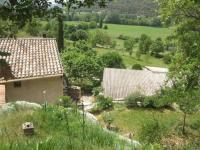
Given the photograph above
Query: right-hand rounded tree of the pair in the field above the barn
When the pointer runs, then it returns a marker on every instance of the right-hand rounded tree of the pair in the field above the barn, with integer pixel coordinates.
(156, 47)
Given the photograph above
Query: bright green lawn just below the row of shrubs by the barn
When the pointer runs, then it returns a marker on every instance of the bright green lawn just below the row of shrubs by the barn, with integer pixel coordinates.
(131, 120)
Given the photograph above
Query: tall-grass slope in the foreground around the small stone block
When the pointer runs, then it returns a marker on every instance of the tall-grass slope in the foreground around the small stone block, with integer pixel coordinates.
(54, 123)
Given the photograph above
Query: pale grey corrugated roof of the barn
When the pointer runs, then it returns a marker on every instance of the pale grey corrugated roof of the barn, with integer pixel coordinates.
(119, 83)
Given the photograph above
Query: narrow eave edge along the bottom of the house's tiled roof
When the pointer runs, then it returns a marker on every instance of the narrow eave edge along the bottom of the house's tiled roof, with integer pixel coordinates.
(32, 78)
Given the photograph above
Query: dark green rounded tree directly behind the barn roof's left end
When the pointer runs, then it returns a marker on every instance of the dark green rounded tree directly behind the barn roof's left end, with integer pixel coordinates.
(112, 60)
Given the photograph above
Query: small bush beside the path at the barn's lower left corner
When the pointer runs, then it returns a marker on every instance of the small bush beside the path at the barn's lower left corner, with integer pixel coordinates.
(104, 103)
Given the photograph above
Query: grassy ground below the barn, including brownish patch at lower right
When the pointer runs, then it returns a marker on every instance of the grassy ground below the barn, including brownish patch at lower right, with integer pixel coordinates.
(133, 120)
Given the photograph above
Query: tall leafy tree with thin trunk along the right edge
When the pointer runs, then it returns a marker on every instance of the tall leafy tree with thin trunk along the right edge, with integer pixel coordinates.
(185, 69)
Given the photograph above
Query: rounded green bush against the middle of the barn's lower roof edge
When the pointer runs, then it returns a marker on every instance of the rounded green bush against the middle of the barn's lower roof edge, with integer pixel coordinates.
(133, 99)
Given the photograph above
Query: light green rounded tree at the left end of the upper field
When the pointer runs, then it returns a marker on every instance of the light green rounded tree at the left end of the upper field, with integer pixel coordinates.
(100, 37)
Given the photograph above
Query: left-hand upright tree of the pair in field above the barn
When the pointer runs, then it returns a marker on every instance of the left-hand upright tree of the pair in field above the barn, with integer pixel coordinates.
(144, 43)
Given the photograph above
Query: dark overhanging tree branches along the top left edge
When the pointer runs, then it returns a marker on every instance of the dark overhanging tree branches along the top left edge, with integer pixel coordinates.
(15, 9)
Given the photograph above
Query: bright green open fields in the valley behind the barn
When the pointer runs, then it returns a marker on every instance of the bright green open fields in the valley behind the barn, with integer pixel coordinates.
(115, 30)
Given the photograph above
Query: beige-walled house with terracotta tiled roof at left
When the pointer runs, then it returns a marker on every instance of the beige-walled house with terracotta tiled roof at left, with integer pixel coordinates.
(34, 72)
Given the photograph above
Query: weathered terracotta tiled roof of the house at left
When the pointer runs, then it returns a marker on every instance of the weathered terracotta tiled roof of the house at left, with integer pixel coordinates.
(32, 57)
